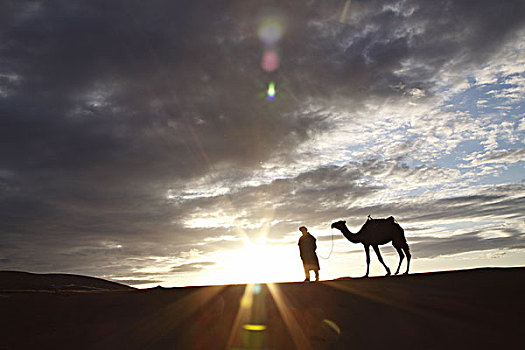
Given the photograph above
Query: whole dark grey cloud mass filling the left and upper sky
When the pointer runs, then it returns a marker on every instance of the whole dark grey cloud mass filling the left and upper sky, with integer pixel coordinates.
(105, 105)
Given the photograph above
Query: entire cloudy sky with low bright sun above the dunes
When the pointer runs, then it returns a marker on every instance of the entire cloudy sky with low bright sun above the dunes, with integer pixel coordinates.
(139, 142)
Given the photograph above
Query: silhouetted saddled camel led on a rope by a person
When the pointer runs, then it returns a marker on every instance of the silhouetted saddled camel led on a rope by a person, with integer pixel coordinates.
(376, 232)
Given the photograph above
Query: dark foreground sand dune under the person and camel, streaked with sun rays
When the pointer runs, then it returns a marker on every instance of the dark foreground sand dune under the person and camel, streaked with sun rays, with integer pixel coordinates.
(471, 309)
